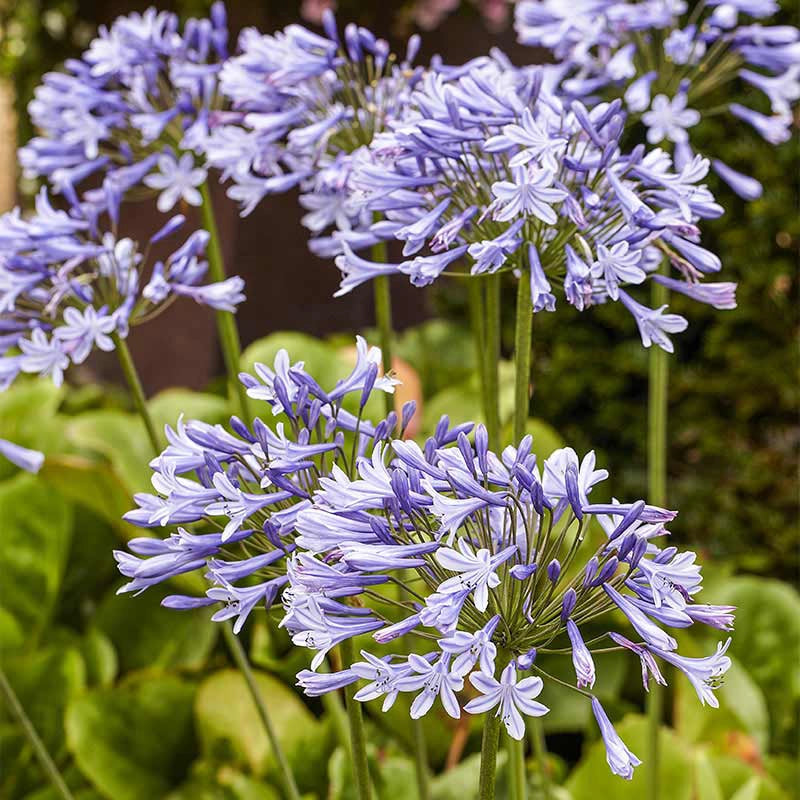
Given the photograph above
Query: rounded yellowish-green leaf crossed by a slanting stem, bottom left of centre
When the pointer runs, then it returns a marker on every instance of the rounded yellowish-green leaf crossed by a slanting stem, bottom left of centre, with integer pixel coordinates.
(228, 721)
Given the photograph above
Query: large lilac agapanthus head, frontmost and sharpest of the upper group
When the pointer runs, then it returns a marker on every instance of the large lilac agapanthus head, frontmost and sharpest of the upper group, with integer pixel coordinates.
(489, 171)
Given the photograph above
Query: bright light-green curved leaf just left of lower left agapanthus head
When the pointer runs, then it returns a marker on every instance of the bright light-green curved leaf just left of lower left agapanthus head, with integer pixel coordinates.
(121, 438)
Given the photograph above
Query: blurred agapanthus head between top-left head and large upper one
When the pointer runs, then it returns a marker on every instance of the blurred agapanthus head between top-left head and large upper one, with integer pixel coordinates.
(301, 104)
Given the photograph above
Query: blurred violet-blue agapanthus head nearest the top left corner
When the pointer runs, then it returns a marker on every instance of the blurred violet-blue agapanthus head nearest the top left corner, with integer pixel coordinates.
(137, 101)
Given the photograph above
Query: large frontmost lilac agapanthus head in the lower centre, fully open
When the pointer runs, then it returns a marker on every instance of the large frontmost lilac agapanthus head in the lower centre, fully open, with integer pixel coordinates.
(497, 569)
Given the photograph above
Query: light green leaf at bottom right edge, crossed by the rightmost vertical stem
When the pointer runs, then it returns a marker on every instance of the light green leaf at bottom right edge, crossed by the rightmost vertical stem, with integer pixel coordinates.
(592, 778)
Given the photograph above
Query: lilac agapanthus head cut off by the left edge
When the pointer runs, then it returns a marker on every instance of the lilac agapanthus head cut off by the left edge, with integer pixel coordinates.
(69, 283)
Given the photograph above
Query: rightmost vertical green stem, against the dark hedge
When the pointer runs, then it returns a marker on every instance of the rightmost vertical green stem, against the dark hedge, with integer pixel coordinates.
(657, 494)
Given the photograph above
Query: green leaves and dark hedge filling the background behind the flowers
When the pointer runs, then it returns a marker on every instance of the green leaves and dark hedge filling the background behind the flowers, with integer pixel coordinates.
(135, 701)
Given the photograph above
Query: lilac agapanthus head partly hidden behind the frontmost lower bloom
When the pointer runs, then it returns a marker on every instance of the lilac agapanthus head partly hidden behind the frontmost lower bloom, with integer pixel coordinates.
(239, 491)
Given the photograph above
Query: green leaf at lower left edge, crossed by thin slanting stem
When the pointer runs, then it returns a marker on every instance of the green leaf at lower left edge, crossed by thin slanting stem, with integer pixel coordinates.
(45, 681)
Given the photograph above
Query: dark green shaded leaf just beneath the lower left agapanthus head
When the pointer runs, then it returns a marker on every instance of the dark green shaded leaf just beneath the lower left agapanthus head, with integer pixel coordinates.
(148, 636)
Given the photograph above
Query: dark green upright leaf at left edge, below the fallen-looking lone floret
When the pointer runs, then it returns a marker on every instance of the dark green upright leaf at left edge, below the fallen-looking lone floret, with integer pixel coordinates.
(34, 544)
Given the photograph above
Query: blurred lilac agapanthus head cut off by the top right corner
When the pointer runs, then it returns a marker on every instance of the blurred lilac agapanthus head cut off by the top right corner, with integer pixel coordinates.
(703, 52)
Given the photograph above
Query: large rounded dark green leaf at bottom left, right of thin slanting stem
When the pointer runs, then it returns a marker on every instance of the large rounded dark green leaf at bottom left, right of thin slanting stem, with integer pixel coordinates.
(134, 742)
